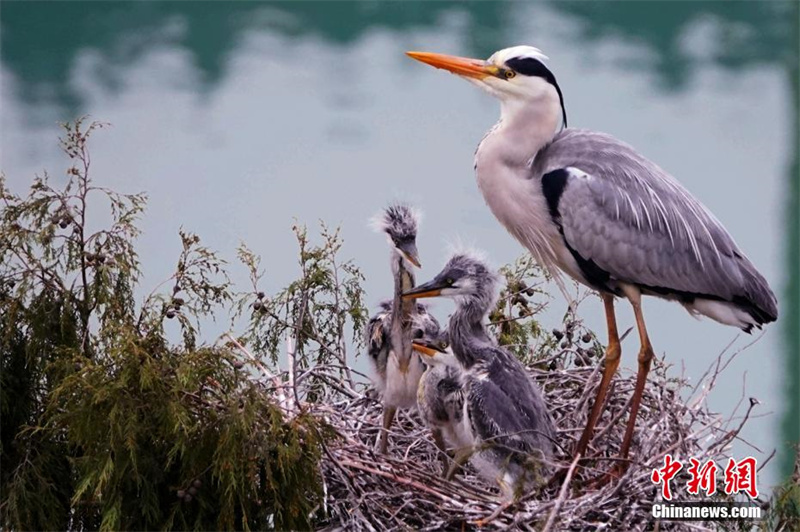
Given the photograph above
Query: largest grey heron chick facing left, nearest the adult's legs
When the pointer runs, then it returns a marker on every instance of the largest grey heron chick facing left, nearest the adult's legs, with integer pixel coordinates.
(508, 425)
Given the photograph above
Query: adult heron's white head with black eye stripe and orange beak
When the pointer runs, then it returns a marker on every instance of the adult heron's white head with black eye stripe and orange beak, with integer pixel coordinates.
(517, 76)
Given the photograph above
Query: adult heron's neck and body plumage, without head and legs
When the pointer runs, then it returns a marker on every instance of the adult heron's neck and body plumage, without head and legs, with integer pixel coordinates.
(618, 212)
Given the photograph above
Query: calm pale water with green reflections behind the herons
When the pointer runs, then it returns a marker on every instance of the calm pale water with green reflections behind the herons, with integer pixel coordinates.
(237, 118)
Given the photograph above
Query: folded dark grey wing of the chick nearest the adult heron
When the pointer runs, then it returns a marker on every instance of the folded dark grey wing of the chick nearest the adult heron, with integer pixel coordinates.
(505, 407)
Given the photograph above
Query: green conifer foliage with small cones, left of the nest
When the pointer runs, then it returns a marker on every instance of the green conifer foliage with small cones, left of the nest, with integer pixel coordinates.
(107, 423)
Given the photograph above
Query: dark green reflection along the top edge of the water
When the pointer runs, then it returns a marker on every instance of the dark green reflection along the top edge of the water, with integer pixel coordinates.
(41, 39)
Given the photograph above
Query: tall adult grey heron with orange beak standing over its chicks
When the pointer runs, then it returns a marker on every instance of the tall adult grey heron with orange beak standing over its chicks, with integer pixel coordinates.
(589, 205)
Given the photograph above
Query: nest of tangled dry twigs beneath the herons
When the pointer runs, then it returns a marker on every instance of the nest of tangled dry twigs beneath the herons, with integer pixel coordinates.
(404, 489)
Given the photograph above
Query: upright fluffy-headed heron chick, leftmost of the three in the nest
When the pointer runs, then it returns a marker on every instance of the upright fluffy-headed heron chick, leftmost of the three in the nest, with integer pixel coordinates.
(396, 368)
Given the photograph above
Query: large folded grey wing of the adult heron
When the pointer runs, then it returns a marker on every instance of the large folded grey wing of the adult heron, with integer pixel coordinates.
(627, 218)
